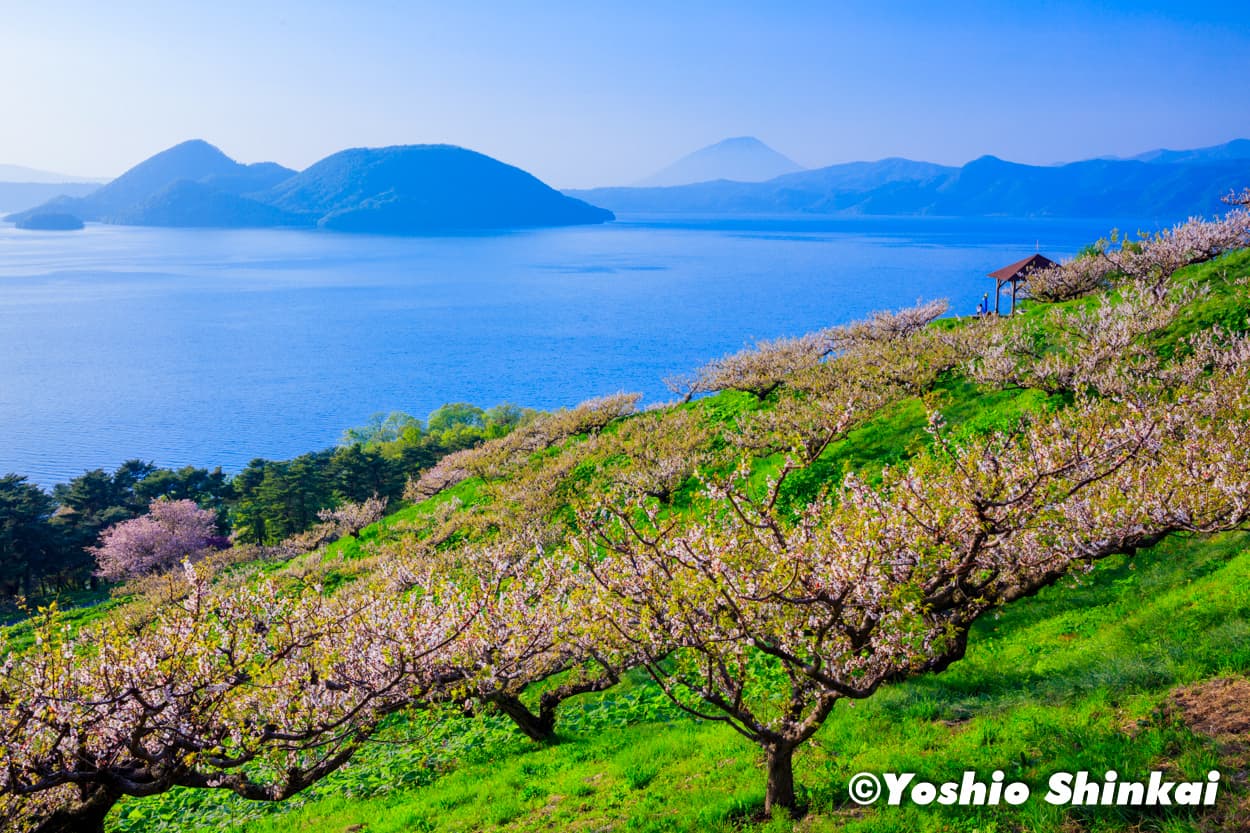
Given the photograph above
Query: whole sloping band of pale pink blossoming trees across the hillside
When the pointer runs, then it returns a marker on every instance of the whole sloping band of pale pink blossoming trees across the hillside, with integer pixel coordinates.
(599, 541)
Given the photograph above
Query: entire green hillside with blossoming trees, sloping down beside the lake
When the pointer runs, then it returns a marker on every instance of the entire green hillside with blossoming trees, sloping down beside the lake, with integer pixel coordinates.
(907, 545)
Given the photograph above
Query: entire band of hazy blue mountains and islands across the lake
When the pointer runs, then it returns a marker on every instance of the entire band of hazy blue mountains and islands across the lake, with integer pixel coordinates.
(418, 189)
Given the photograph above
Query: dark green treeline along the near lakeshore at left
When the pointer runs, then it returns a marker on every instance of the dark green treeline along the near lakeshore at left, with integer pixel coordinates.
(46, 536)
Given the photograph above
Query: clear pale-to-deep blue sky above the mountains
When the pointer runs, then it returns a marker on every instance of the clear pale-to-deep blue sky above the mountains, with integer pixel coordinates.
(589, 93)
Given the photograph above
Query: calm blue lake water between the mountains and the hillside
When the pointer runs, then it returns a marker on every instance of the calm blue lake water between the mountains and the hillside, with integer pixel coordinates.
(213, 348)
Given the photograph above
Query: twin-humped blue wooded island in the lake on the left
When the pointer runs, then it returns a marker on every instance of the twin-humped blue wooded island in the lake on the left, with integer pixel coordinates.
(407, 189)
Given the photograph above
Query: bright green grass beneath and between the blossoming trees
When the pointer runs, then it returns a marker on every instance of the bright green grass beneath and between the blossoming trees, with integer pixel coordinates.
(1081, 677)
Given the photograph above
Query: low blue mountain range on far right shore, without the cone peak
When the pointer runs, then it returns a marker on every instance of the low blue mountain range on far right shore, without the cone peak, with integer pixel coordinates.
(1162, 183)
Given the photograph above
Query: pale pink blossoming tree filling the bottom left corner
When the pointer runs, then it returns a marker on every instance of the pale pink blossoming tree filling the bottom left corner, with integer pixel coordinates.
(247, 689)
